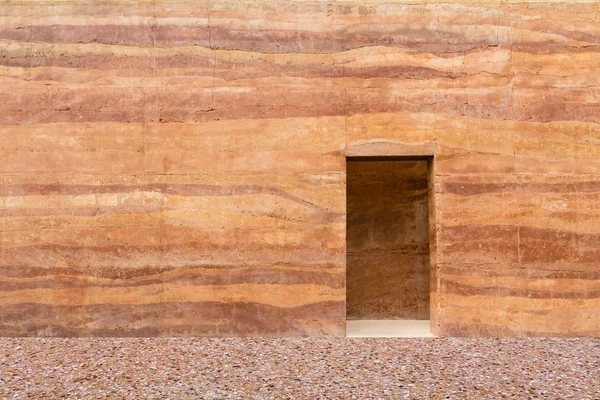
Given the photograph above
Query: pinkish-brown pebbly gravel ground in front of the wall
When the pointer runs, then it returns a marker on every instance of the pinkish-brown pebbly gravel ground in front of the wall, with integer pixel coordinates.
(300, 368)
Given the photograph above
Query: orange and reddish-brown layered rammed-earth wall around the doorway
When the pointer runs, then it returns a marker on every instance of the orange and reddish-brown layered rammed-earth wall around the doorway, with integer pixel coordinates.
(178, 167)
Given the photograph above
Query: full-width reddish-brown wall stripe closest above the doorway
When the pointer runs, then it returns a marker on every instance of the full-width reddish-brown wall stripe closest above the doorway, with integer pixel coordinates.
(319, 103)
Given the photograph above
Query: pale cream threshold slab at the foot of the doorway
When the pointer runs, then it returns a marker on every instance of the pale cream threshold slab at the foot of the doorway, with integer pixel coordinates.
(379, 328)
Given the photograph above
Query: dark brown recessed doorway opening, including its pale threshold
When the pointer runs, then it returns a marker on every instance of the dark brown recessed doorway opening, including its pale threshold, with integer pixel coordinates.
(387, 246)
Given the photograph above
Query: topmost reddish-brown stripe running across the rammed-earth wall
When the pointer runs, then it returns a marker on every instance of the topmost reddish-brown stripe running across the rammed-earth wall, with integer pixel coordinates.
(279, 42)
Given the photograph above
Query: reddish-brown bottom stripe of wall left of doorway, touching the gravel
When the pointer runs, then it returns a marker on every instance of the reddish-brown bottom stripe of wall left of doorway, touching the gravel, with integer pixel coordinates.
(179, 319)
